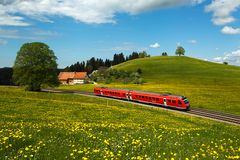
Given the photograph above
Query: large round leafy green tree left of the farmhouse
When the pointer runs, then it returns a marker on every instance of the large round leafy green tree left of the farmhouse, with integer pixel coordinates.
(35, 66)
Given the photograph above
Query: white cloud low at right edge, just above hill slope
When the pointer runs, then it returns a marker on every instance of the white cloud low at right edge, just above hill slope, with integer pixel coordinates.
(231, 58)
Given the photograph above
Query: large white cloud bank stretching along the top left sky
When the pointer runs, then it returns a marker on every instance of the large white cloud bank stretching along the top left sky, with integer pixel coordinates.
(87, 11)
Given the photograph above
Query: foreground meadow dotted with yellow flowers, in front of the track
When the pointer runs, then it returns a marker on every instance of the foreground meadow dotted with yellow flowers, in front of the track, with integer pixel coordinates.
(60, 126)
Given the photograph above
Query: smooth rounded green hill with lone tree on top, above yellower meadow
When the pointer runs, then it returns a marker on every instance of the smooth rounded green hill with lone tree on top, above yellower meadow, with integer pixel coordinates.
(183, 70)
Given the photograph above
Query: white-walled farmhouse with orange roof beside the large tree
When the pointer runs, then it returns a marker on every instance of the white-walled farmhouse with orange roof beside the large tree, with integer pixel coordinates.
(72, 77)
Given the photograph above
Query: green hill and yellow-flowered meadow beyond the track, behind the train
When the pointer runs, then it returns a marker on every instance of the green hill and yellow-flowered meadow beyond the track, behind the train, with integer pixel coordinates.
(206, 84)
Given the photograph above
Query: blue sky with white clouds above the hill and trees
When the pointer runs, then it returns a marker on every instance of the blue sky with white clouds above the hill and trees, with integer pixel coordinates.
(80, 29)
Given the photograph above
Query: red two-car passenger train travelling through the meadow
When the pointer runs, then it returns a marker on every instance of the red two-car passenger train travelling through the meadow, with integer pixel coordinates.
(167, 100)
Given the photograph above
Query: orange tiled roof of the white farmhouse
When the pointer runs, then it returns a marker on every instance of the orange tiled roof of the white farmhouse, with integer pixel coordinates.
(72, 75)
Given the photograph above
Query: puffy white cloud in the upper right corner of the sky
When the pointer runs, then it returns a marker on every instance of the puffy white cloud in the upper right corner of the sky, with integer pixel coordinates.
(222, 10)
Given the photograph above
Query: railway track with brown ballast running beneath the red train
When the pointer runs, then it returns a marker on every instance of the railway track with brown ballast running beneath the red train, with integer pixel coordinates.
(223, 117)
